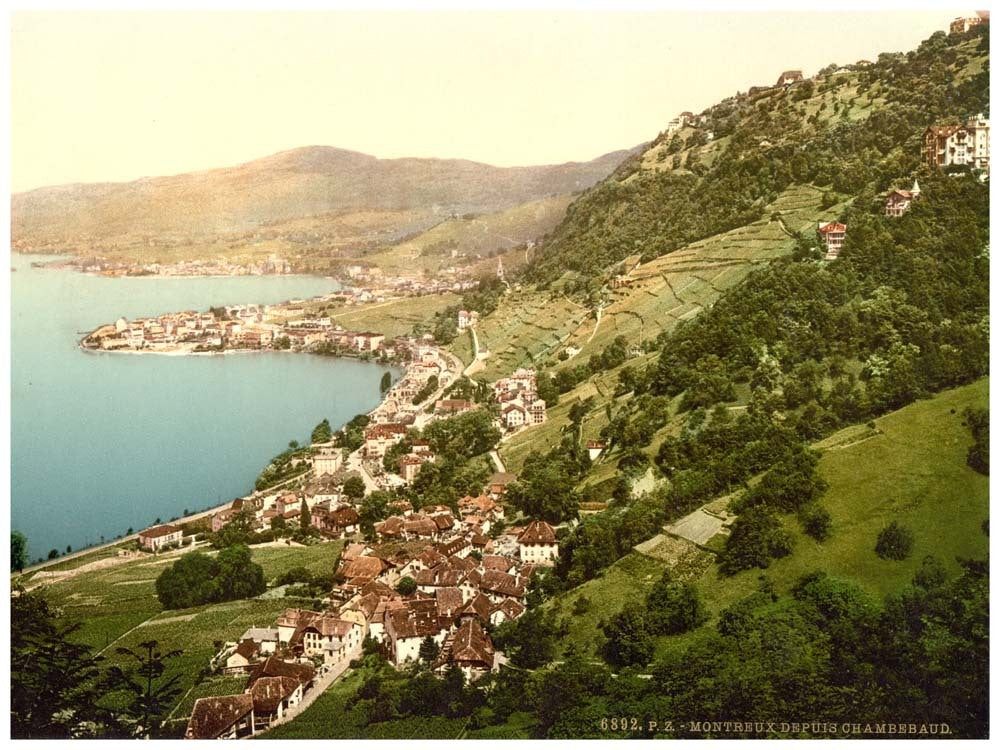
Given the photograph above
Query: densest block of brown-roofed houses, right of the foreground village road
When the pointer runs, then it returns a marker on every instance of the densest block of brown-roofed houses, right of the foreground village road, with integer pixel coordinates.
(456, 596)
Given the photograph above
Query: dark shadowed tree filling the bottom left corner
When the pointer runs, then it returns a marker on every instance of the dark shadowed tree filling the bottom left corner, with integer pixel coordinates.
(52, 676)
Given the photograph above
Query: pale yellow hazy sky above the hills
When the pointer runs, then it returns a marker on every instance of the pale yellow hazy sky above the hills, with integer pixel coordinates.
(117, 96)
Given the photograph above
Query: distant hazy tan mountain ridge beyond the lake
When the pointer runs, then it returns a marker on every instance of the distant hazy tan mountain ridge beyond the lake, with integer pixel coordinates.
(307, 201)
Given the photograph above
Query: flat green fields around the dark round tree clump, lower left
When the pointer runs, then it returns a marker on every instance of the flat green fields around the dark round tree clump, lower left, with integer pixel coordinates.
(117, 608)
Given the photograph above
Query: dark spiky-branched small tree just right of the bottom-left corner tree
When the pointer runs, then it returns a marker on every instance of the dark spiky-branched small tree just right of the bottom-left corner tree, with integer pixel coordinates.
(149, 698)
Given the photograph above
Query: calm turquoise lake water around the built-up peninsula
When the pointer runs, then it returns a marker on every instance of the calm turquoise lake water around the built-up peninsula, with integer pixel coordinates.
(101, 442)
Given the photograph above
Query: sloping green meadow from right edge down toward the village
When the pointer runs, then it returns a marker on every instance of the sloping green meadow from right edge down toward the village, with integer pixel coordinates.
(911, 468)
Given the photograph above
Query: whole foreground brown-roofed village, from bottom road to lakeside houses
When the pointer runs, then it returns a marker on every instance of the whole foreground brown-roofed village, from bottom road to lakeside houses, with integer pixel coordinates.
(429, 585)
